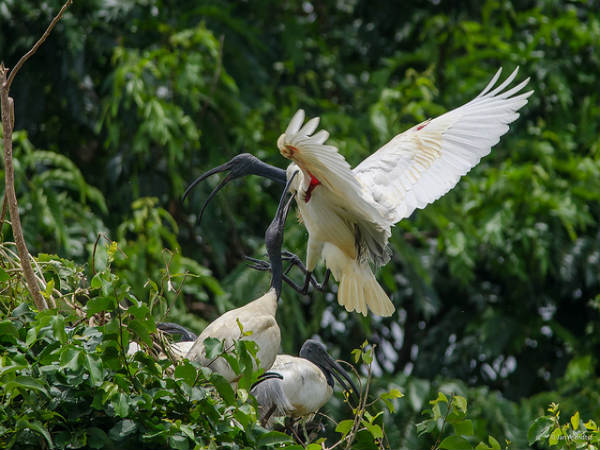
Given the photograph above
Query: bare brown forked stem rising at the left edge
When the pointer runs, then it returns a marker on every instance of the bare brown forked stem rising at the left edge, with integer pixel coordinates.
(8, 122)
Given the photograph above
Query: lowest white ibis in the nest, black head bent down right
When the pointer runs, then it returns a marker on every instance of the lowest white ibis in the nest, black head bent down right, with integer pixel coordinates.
(297, 386)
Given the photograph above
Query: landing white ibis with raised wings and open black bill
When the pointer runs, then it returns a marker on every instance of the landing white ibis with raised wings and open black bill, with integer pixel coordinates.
(349, 212)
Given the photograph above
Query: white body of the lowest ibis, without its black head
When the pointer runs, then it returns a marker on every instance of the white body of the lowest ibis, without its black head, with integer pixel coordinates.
(303, 389)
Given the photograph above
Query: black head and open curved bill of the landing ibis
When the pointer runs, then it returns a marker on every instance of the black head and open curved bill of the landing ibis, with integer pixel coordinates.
(238, 166)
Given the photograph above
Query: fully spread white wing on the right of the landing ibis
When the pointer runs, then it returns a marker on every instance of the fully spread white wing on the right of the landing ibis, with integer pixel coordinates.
(420, 165)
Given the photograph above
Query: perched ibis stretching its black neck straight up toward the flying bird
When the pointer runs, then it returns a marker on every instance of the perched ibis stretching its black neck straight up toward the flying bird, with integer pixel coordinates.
(257, 316)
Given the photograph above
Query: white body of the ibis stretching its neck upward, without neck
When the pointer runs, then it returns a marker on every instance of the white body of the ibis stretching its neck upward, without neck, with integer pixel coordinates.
(258, 317)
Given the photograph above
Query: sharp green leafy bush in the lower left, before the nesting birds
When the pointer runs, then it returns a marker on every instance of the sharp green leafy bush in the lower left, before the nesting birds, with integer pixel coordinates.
(76, 386)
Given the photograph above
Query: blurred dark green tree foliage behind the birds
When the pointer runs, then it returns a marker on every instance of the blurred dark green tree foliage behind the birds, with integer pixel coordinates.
(496, 285)
